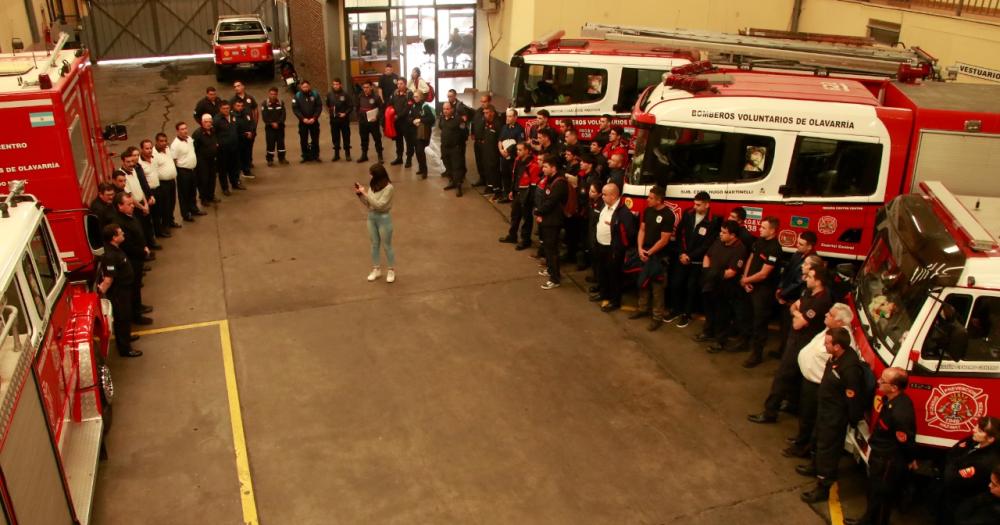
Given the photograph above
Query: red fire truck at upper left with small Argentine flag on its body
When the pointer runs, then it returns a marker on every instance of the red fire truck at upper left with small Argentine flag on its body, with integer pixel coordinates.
(52, 138)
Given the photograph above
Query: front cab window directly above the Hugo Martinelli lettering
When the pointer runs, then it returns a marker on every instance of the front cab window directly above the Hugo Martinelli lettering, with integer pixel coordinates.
(672, 155)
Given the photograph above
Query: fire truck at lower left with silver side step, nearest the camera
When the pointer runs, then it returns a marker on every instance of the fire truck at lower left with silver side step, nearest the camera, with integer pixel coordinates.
(55, 387)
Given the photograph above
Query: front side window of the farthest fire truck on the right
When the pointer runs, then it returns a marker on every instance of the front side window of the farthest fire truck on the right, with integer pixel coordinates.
(540, 85)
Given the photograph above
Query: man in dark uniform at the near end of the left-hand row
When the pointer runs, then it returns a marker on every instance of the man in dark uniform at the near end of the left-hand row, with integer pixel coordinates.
(116, 281)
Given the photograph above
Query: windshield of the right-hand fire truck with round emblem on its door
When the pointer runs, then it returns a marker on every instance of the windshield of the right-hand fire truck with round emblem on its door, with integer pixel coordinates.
(913, 254)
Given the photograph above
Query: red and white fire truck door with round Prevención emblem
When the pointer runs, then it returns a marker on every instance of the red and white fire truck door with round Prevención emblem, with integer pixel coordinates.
(955, 377)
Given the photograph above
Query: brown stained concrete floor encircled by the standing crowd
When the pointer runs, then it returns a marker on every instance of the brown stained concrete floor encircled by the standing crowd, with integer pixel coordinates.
(462, 393)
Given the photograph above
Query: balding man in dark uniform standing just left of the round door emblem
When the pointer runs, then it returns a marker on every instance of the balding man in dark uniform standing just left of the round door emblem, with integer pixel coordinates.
(892, 444)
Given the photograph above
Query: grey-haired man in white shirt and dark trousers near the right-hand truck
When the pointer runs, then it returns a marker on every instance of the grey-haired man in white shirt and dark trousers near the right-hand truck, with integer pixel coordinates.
(812, 362)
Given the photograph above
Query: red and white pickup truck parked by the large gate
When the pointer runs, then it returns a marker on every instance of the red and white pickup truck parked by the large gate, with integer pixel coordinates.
(242, 42)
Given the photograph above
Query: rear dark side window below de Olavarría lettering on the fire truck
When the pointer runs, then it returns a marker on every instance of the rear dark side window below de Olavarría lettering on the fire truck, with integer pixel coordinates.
(834, 168)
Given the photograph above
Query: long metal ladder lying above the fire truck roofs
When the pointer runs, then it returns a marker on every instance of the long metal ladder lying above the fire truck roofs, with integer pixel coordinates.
(821, 56)
